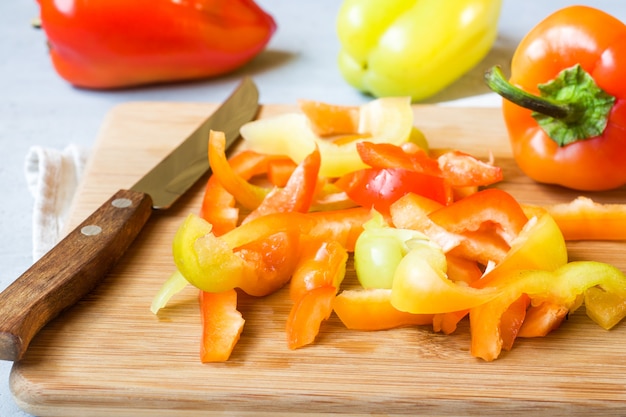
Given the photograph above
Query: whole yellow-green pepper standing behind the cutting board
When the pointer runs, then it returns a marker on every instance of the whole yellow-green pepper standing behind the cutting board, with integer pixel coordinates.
(413, 47)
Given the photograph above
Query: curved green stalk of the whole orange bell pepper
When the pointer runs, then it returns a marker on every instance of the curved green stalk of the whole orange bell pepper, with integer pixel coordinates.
(496, 82)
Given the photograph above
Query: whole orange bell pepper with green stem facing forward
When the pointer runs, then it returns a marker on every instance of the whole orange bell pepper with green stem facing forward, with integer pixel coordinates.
(565, 106)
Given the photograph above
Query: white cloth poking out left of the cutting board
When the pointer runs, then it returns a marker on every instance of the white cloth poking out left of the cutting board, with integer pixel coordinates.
(52, 177)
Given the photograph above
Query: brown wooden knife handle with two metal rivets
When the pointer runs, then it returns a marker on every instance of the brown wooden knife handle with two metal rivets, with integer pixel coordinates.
(69, 270)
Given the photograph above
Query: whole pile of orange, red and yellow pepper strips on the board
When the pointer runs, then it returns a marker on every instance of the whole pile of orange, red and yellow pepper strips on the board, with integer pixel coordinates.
(430, 244)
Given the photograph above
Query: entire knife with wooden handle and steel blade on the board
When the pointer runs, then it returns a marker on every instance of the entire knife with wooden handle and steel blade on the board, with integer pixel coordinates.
(79, 261)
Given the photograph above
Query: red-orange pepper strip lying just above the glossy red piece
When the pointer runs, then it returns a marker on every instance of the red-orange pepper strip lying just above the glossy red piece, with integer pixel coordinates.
(387, 155)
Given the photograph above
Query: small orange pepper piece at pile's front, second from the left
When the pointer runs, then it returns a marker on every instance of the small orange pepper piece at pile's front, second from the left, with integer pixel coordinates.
(306, 316)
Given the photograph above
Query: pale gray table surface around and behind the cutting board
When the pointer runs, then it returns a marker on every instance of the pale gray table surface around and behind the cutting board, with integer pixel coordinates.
(38, 108)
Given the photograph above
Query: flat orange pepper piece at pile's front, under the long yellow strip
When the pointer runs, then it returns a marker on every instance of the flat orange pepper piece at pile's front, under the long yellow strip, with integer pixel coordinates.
(371, 309)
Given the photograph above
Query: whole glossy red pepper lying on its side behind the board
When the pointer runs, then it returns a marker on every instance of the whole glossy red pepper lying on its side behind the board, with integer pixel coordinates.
(106, 44)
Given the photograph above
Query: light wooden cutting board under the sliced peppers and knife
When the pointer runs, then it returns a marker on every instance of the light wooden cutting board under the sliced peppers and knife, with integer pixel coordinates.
(109, 355)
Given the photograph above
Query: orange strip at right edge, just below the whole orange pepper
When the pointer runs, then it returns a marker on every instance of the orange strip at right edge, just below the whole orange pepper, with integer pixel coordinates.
(584, 219)
